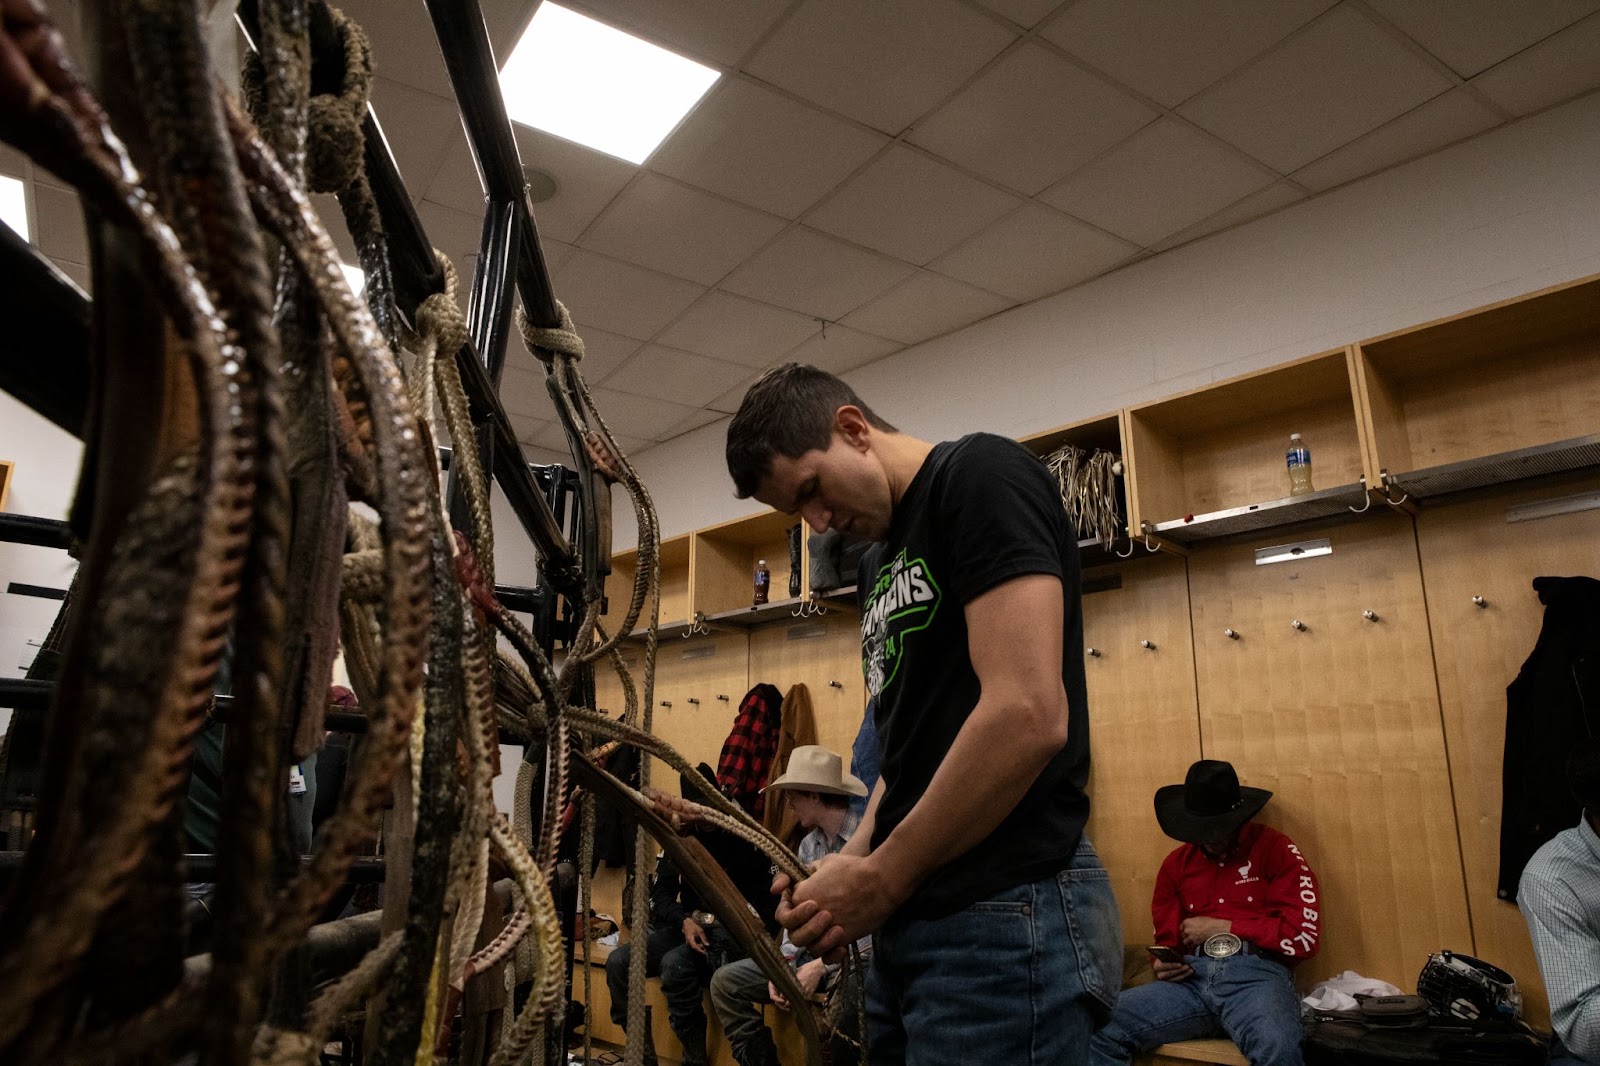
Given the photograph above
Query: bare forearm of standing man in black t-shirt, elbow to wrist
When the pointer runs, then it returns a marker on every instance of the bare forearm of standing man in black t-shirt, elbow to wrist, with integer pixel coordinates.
(994, 761)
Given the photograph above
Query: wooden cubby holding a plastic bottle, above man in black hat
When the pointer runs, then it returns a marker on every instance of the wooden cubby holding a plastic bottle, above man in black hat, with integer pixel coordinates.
(1210, 463)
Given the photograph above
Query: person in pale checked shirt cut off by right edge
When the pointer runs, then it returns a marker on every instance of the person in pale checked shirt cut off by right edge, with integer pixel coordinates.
(1561, 900)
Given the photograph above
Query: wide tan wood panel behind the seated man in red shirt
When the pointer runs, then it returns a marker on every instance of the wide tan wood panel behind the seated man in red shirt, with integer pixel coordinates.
(1342, 723)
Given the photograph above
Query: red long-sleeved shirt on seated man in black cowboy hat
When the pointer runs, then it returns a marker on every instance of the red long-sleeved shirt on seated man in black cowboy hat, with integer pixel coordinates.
(1265, 888)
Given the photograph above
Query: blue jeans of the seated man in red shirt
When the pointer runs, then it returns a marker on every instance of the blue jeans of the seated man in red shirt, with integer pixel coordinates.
(1249, 1000)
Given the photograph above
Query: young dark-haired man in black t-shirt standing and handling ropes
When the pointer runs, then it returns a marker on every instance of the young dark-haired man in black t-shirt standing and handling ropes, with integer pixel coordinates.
(998, 934)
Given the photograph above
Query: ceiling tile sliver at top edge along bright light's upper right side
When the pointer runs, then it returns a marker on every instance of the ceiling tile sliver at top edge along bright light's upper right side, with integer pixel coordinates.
(702, 30)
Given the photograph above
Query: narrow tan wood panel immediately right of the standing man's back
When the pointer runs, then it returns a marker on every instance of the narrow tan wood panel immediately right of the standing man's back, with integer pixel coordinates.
(1145, 729)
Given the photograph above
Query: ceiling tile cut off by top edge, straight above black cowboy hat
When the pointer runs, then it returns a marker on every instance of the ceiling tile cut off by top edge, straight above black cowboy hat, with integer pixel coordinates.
(1170, 50)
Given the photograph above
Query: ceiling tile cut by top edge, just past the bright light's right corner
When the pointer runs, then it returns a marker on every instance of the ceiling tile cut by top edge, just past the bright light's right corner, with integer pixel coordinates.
(882, 63)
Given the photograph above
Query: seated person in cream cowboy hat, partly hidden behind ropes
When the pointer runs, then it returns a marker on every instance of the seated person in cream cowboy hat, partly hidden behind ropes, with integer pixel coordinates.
(820, 793)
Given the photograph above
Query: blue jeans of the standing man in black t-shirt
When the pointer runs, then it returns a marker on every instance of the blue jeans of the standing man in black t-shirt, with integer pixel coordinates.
(1020, 979)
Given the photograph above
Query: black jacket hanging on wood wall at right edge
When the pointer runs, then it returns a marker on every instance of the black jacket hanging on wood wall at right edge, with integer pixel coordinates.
(1553, 703)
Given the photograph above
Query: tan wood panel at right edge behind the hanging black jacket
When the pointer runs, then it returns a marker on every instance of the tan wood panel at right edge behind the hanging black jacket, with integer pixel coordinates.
(1470, 550)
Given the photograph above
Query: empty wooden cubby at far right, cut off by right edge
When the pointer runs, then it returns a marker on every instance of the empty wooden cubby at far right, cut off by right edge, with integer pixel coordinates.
(1487, 398)
